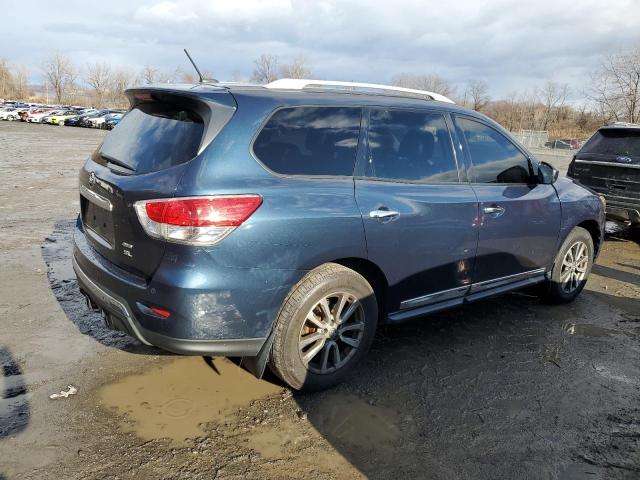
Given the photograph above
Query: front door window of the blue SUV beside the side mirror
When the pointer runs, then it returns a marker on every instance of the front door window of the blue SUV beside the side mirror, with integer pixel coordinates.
(495, 159)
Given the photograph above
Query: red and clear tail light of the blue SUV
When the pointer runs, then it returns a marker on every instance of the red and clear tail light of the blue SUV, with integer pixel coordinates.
(196, 220)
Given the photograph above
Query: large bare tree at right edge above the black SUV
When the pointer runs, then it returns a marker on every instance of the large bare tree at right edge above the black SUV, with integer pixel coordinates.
(615, 86)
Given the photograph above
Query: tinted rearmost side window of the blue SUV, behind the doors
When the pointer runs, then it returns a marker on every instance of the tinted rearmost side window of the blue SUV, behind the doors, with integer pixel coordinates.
(310, 141)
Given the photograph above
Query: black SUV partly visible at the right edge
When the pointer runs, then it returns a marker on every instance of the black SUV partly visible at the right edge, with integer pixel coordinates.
(609, 163)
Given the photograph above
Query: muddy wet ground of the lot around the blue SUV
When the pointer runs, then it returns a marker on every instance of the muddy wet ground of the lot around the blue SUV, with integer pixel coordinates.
(505, 388)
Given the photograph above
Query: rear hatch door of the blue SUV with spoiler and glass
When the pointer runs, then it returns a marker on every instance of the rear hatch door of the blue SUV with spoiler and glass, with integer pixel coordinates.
(143, 158)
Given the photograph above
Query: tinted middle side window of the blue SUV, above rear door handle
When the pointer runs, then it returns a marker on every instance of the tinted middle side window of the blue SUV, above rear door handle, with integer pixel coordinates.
(409, 145)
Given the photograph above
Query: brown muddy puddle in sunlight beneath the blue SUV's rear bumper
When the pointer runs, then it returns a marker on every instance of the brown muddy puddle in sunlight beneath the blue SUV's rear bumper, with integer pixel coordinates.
(172, 401)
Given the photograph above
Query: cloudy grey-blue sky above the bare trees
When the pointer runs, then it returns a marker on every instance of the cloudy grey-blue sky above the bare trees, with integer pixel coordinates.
(511, 45)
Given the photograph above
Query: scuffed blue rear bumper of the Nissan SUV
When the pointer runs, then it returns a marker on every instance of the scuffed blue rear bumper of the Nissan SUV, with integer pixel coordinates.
(214, 311)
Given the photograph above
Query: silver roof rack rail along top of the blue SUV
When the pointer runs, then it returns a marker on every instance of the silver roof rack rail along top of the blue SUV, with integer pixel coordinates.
(354, 87)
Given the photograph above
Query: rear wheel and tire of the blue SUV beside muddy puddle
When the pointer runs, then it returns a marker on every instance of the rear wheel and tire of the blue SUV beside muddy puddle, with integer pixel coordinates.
(351, 337)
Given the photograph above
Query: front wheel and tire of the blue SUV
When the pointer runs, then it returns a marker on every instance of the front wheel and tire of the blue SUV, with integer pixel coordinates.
(564, 286)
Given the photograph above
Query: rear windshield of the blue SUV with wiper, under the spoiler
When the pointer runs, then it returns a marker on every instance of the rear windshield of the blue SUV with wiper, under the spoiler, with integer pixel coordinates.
(152, 137)
